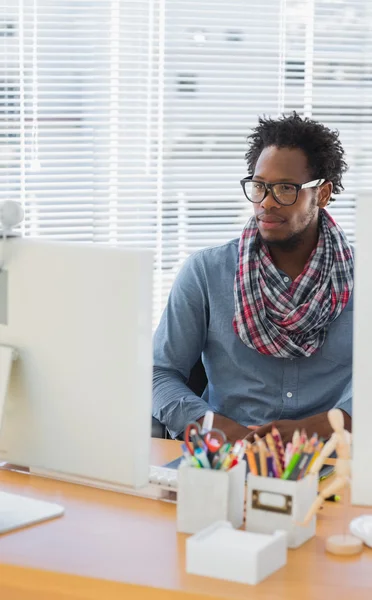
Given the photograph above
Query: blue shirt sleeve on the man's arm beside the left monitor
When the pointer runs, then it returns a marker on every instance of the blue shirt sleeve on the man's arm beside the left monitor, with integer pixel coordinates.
(178, 343)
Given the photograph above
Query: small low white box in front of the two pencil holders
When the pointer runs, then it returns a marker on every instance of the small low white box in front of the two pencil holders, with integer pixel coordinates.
(222, 552)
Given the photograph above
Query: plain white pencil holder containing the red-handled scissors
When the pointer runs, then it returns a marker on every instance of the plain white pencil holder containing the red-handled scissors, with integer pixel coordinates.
(205, 496)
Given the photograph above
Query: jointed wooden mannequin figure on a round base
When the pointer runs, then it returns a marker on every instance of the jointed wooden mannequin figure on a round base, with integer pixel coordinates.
(340, 441)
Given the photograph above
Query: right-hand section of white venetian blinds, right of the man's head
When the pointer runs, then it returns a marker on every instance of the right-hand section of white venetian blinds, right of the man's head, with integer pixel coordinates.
(329, 78)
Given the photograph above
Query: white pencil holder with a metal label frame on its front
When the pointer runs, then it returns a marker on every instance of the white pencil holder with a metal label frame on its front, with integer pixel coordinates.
(274, 504)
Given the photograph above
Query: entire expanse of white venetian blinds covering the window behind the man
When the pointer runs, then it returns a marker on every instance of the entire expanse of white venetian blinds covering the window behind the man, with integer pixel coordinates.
(126, 121)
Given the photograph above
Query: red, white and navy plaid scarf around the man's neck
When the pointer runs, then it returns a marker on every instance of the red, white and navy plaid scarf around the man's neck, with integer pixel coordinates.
(291, 322)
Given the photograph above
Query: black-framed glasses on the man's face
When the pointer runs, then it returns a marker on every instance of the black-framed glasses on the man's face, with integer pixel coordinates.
(284, 193)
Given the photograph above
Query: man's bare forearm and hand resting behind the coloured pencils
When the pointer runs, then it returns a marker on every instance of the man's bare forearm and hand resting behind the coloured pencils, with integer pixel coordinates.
(316, 424)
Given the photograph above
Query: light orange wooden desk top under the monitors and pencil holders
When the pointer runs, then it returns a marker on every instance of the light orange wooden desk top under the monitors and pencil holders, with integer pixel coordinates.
(110, 546)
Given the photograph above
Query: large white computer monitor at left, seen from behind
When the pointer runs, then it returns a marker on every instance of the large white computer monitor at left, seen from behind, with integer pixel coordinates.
(79, 394)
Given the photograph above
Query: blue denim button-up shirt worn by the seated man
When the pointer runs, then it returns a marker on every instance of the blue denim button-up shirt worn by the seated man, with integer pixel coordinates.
(244, 385)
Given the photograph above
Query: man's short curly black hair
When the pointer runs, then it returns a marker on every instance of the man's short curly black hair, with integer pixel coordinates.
(321, 145)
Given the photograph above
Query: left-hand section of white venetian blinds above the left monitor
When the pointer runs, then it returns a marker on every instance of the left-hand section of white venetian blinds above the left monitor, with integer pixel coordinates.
(79, 117)
